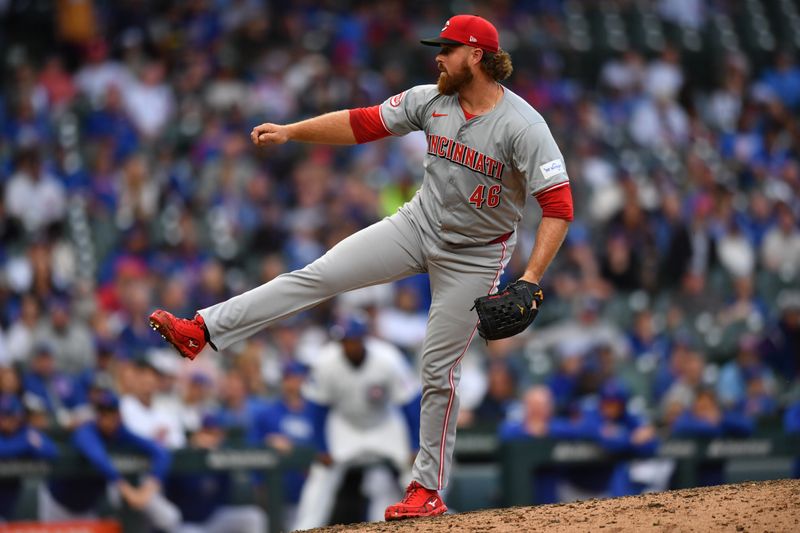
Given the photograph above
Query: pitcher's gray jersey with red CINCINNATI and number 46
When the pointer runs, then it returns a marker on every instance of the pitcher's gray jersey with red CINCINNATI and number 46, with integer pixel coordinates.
(478, 172)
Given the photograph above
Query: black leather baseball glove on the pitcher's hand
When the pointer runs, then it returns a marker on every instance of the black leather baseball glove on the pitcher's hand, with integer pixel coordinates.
(509, 311)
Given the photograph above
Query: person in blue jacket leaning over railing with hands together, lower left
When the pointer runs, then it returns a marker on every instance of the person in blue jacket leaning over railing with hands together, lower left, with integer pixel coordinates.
(77, 497)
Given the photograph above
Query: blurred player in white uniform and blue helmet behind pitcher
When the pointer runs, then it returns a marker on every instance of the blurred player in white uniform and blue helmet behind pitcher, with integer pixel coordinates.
(360, 391)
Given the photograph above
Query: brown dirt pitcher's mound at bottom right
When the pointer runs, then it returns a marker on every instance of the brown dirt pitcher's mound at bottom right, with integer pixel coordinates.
(756, 507)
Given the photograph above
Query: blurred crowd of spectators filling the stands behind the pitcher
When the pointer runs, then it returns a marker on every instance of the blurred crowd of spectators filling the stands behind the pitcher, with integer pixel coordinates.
(128, 183)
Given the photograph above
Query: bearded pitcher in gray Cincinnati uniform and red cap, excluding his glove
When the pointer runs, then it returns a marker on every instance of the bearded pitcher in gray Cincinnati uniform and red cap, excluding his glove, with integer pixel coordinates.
(488, 152)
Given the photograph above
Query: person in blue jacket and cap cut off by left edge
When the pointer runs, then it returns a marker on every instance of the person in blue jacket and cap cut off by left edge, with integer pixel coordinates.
(18, 440)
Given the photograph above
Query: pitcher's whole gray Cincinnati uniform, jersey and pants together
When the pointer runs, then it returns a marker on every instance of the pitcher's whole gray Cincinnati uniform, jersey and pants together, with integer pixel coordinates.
(458, 229)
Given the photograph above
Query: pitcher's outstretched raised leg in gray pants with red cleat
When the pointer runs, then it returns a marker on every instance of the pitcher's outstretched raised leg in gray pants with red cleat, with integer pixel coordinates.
(387, 250)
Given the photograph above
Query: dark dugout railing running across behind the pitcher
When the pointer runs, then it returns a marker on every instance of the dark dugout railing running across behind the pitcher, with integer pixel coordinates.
(517, 460)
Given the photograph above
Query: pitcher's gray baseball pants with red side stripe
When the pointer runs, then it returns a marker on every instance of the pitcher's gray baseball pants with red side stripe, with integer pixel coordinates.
(394, 248)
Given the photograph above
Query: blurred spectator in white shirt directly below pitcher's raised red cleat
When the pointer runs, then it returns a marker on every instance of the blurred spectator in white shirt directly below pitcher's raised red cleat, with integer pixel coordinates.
(144, 416)
